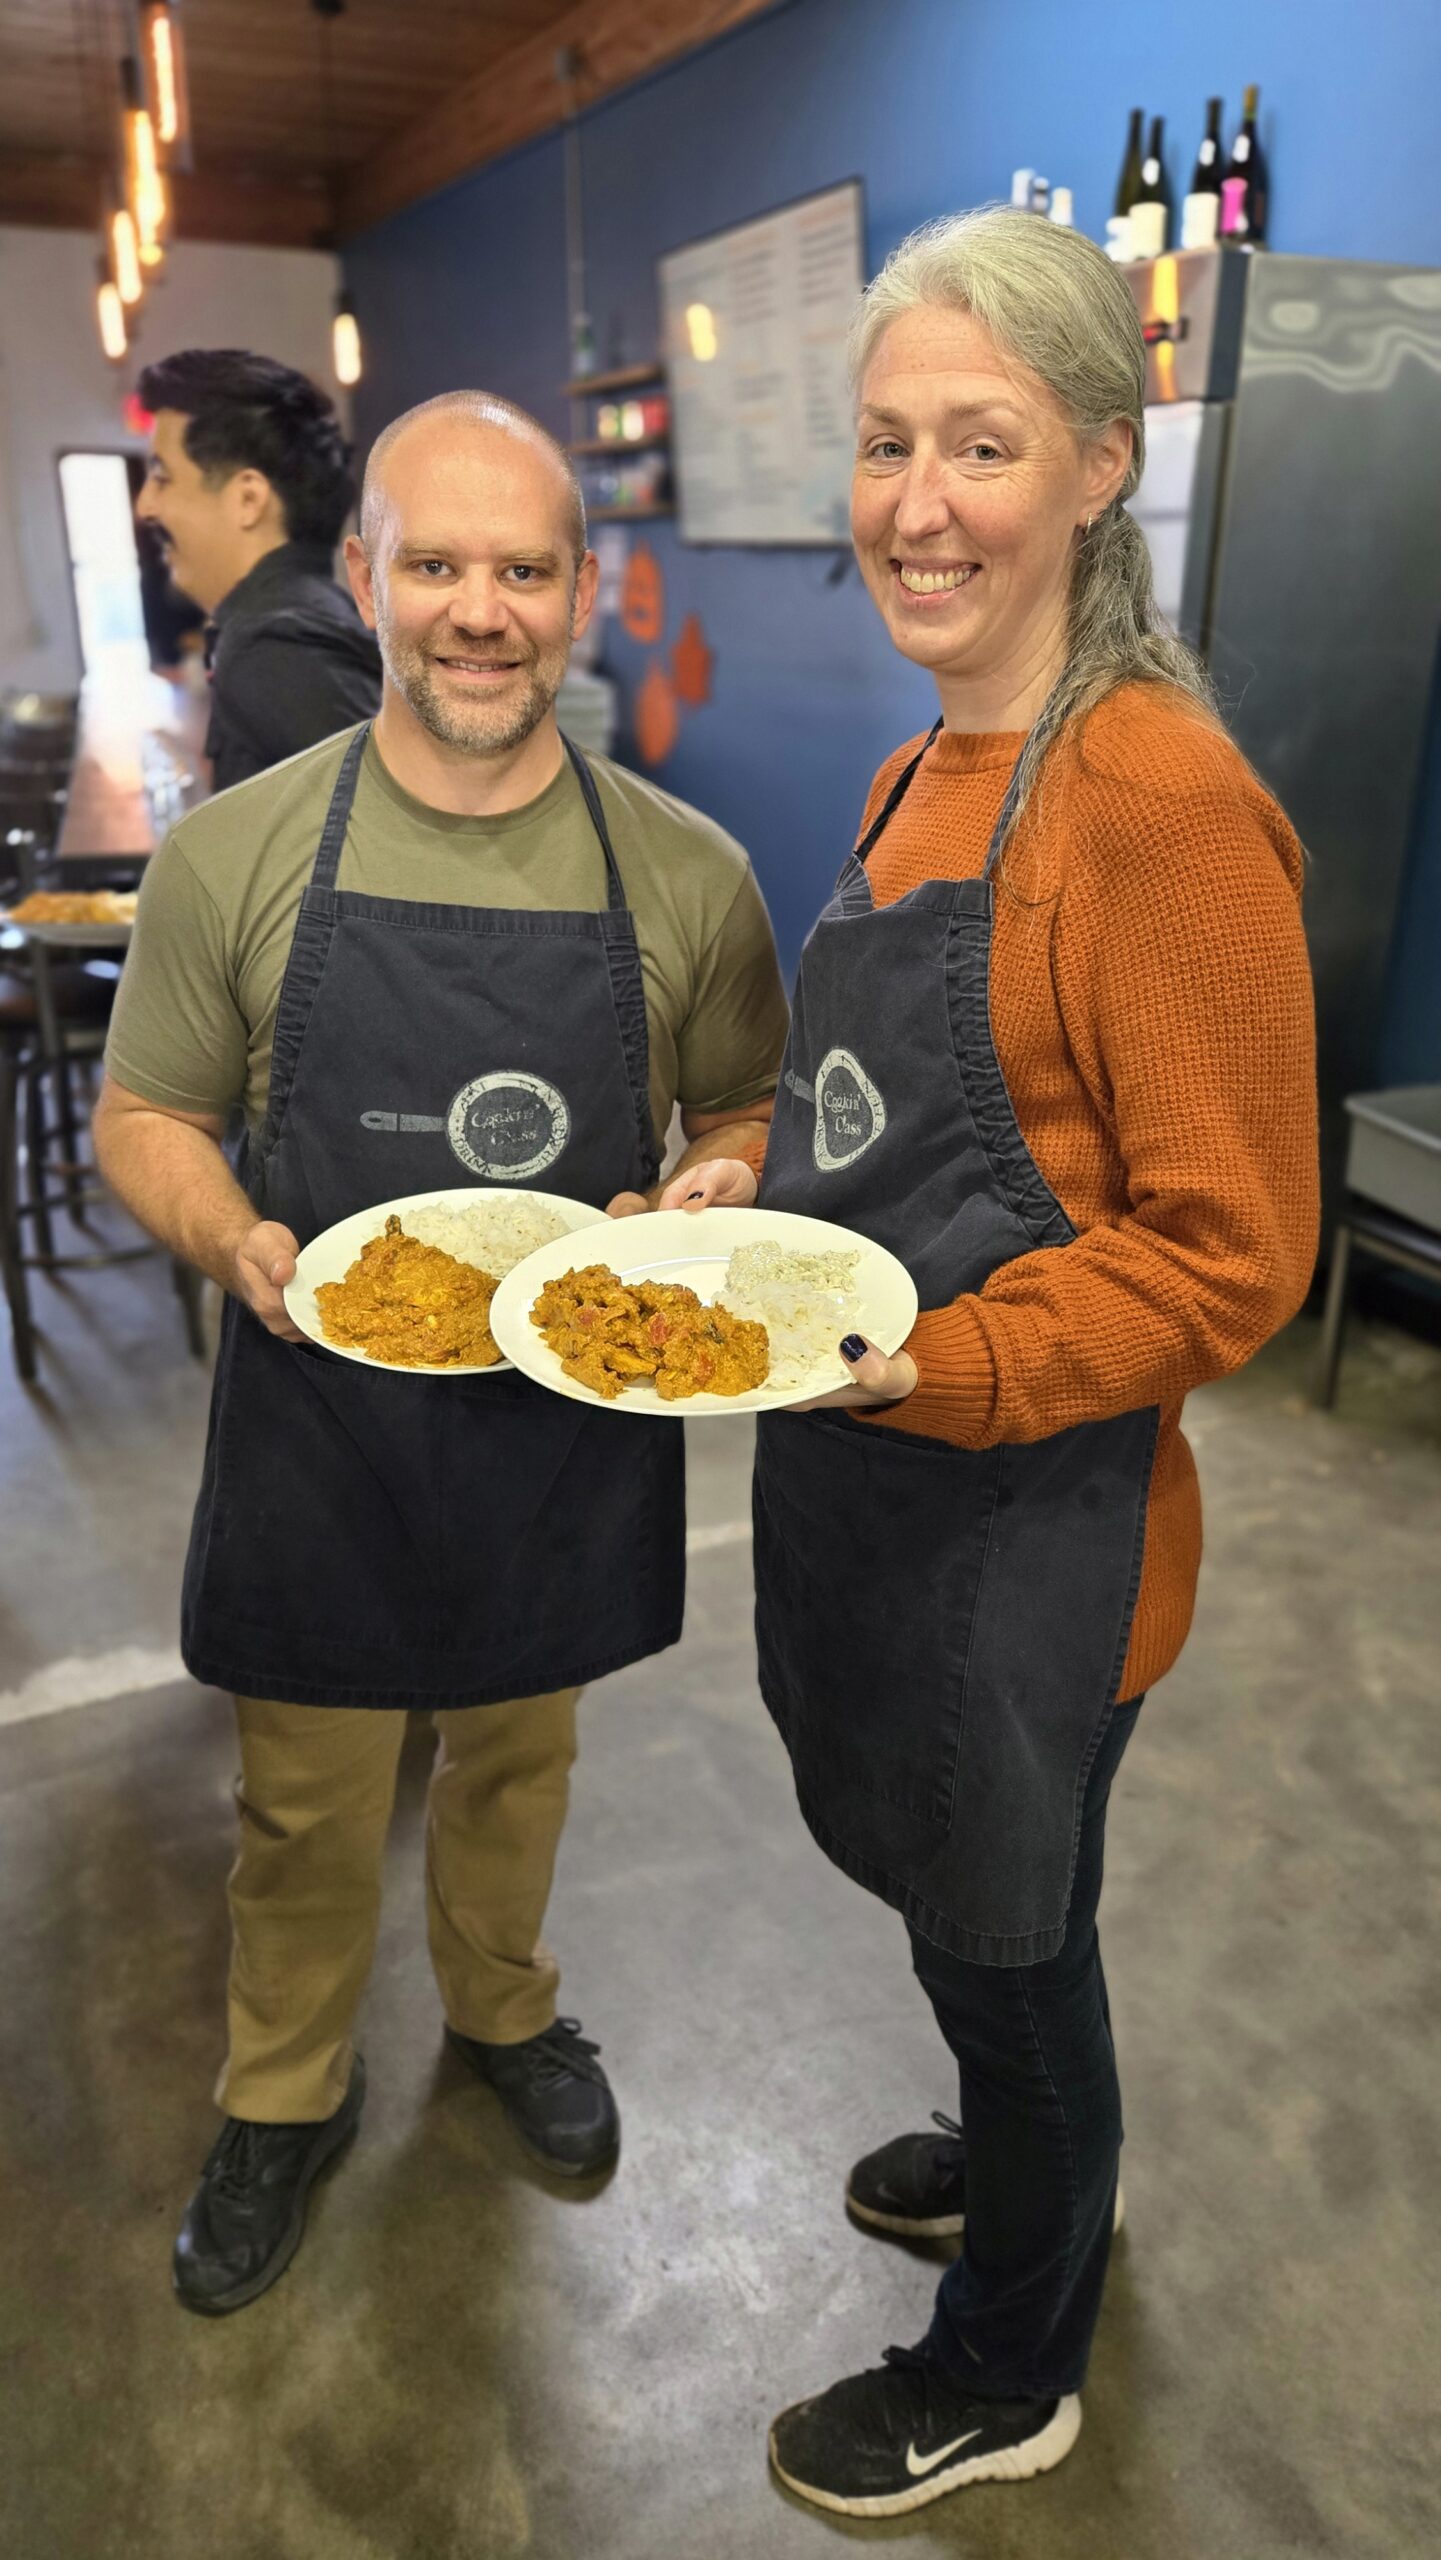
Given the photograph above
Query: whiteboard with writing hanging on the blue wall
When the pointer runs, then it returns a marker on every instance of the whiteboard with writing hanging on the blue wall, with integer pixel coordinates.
(754, 332)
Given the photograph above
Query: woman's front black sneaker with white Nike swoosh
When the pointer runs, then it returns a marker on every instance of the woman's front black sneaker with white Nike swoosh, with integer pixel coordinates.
(905, 2433)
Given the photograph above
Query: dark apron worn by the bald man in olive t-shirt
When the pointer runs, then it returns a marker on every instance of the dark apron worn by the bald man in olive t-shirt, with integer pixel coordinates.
(375, 1540)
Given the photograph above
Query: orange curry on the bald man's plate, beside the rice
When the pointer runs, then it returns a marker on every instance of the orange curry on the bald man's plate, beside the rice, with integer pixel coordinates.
(411, 1307)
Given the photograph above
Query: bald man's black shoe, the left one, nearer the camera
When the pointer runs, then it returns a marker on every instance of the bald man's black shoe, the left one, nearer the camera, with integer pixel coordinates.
(247, 2218)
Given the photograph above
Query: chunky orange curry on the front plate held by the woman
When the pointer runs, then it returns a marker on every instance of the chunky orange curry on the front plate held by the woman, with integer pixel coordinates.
(610, 1332)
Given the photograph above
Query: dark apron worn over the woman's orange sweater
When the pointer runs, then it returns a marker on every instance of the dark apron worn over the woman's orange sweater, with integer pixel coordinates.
(941, 1629)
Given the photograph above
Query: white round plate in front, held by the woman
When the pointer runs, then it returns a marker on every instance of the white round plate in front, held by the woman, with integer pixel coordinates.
(692, 1248)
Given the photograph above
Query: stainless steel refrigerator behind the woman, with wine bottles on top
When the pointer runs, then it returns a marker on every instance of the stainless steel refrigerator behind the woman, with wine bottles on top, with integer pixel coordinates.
(1294, 516)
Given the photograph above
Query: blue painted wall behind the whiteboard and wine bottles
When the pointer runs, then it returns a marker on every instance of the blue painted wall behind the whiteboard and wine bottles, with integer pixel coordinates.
(933, 104)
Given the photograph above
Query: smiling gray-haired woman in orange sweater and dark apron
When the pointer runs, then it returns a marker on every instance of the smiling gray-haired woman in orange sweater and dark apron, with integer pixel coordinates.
(1053, 1048)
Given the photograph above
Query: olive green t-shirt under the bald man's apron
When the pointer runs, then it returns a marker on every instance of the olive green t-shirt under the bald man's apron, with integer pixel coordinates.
(198, 1000)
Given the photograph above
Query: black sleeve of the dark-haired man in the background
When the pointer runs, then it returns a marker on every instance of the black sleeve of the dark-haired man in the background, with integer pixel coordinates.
(285, 690)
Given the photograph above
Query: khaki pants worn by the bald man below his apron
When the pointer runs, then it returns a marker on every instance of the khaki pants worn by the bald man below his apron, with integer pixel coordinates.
(316, 1798)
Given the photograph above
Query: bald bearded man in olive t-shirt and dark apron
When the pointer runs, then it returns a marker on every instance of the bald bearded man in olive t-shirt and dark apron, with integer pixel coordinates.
(436, 951)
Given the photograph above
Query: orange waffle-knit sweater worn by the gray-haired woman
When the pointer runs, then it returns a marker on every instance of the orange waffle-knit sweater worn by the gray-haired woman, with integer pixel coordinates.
(1150, 1005)
